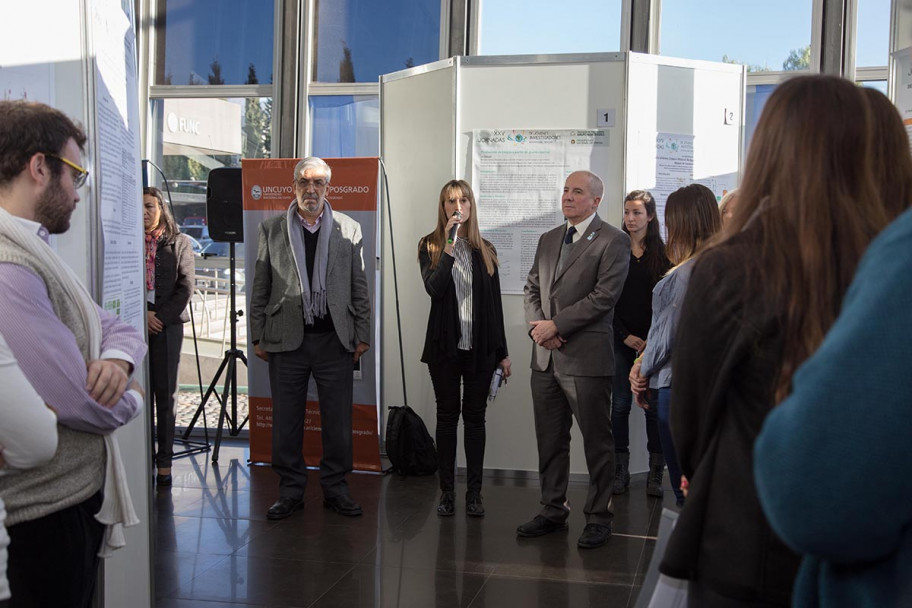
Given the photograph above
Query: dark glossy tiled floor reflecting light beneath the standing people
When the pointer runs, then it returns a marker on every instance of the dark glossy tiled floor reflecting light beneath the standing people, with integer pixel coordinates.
(215, 548)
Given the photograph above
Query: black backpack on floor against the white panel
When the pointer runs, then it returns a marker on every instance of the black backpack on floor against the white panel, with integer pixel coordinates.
(408, 444)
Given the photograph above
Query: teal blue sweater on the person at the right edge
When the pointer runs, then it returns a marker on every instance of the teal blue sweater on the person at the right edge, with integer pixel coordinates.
(832, 461)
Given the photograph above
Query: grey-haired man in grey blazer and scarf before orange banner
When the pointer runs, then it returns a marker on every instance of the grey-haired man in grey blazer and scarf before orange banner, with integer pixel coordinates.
(310, 315)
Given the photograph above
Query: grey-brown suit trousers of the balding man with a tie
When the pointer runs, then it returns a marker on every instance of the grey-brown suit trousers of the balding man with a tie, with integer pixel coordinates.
(556, 400)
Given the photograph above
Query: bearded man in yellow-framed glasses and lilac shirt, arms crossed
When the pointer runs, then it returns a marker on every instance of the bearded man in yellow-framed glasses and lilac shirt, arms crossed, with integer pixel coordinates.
(53, 328)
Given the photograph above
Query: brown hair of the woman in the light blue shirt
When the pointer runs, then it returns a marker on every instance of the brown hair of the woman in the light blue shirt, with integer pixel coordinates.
(692, 218)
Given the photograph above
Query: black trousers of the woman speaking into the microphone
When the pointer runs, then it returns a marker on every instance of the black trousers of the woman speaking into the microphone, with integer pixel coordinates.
(446, 378)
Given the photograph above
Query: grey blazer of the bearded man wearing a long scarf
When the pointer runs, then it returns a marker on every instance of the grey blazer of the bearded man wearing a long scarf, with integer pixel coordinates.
(276, 311)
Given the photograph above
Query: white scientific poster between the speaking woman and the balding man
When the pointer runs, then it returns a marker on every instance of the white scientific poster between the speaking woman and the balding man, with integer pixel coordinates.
(518, 177)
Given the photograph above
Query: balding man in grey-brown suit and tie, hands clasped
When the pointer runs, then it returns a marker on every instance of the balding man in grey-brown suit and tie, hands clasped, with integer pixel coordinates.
(576, 278)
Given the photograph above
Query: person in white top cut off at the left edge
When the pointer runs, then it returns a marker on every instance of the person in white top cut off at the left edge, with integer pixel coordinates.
(28, 436)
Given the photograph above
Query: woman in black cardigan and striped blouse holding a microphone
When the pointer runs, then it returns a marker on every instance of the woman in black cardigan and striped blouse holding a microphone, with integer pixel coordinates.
(465, 339)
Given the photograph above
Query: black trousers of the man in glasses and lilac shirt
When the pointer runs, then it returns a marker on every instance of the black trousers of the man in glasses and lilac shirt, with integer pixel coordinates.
(53, 561)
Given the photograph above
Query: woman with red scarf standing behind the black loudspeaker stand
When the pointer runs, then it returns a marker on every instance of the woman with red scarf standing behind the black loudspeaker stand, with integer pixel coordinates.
(170, 281)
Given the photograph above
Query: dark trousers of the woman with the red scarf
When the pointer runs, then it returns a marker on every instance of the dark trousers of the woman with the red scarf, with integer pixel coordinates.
(164, 360)
